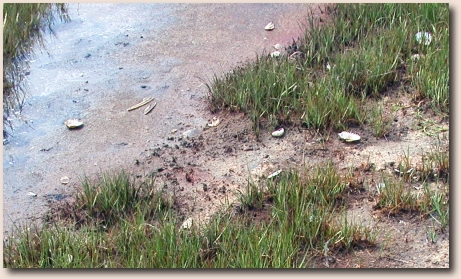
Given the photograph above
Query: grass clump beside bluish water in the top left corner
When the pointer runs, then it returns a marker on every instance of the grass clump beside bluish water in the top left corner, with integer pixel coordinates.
(24, 29)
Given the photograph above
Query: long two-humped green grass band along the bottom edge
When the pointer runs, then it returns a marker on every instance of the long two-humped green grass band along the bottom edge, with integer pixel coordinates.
(139, 231)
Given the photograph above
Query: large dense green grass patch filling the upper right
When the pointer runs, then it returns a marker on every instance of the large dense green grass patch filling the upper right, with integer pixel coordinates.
(369, 48)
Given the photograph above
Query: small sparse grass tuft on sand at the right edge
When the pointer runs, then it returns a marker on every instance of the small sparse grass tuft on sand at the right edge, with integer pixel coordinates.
(398, 194)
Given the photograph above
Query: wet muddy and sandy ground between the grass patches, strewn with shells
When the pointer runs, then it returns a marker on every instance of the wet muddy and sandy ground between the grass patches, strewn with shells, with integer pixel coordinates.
(111, 56)
